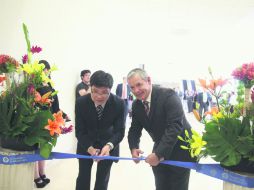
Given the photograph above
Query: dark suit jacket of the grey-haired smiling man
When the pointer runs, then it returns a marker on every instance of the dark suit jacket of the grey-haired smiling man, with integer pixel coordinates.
(165, 122)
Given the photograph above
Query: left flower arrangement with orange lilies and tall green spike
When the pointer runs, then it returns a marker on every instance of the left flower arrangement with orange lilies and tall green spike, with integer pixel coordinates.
(24, 113)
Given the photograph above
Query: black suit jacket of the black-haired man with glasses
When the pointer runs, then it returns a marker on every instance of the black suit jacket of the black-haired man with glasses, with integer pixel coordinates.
(93, 132)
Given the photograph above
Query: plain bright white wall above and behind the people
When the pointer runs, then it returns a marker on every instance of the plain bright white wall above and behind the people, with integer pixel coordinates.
(175, 39)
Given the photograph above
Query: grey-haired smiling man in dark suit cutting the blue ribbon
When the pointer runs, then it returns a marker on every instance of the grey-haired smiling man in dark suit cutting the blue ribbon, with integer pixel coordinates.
(159, 111)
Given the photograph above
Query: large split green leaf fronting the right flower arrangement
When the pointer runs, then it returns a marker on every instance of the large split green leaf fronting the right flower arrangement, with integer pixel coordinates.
(221, 138)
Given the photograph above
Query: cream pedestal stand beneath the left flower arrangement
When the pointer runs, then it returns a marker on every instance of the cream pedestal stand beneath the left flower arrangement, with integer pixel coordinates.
(20, 176)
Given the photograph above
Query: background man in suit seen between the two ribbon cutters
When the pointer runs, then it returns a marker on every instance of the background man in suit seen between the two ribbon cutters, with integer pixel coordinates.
(123, 91)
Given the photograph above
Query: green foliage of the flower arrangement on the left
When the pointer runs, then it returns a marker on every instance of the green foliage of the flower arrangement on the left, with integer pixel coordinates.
(20, 118)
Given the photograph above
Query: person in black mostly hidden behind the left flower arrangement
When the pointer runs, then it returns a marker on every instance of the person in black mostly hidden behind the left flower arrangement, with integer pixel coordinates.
(40, 178)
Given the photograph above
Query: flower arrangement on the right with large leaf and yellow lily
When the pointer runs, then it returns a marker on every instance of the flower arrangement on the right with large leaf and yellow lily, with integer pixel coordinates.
(228, 135)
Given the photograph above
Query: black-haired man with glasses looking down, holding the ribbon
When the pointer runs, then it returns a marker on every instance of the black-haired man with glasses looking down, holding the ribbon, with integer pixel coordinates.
(100, 126)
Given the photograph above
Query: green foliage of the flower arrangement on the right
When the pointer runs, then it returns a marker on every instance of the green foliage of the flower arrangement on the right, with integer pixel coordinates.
(228, 140)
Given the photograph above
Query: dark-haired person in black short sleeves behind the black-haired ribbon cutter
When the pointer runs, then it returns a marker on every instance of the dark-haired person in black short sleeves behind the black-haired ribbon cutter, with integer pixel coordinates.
(83, 87)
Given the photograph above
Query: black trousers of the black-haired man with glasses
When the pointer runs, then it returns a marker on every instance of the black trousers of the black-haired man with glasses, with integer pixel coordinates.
(102, 174)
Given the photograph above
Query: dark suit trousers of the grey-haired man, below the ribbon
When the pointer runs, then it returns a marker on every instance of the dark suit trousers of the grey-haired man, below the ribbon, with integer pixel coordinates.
(171, 177)
